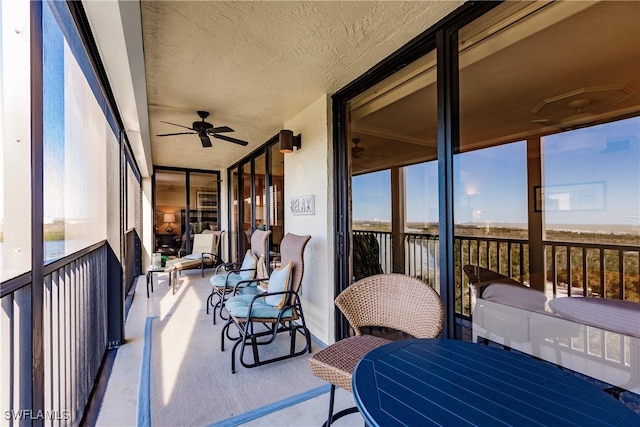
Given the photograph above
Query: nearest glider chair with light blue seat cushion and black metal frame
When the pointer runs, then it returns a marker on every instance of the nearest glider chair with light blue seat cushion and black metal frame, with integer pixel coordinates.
(259, 319)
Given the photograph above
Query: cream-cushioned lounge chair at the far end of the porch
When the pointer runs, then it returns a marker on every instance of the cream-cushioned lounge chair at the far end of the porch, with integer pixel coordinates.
(204, 253)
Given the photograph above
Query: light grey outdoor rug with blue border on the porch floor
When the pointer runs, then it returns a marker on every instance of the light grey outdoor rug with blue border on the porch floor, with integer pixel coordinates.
(189, 380)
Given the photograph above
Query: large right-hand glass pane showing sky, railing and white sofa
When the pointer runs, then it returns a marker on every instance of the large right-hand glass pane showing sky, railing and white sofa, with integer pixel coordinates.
(547, 181)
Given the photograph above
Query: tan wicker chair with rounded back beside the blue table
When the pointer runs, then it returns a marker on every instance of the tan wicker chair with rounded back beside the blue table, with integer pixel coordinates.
(395, 301)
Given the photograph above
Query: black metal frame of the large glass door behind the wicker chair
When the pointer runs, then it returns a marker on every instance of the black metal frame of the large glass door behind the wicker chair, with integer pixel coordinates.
(443, 38)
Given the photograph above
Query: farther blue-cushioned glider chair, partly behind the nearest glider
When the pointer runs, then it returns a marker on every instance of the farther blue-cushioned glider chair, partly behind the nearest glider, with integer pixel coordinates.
(231, 276)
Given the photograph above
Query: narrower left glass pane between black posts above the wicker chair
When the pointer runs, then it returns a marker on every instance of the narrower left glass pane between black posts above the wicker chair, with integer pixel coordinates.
(393, 152)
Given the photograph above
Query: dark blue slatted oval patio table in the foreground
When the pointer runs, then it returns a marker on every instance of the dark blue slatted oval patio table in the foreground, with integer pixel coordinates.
(422, 382)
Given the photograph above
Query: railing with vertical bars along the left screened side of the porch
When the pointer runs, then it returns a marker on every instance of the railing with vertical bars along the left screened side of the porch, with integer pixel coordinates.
(74, 339)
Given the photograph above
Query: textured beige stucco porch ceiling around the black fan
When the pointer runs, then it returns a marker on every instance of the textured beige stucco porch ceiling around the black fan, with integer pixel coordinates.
(254, 65)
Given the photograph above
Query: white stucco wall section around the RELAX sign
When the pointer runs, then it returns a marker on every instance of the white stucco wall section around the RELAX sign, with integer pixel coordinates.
(307, 174)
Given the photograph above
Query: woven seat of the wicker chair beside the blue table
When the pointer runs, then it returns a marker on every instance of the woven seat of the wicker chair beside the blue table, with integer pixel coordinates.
(336, 362)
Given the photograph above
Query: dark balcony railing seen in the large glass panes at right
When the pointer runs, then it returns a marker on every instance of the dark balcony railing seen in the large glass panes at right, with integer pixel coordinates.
(603, 270)
